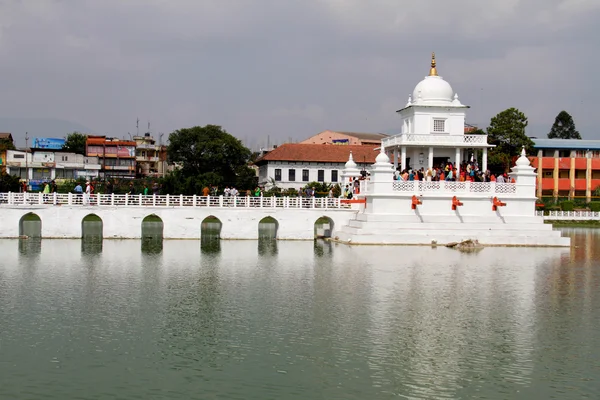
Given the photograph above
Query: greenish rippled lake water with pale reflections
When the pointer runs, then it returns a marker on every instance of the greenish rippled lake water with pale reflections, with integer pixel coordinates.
(263, 320)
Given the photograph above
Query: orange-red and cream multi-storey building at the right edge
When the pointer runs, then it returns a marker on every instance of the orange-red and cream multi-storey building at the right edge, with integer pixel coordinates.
(567, 167)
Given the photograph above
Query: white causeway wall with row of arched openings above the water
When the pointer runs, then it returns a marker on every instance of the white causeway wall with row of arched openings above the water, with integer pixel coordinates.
(179, 223)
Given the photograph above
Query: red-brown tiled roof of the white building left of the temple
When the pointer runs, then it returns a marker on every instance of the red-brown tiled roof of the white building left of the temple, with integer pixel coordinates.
(320, 153)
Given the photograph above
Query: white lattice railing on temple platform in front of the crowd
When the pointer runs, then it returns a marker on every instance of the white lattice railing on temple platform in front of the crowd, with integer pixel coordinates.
(454, 187)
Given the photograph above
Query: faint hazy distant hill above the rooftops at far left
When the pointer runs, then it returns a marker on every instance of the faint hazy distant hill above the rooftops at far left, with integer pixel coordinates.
(39, 127)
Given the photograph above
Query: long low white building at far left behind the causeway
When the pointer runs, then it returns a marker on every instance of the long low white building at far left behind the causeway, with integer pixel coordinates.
(37, 166)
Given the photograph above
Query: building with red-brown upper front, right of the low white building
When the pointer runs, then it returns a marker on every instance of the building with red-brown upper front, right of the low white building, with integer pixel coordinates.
(117, 157)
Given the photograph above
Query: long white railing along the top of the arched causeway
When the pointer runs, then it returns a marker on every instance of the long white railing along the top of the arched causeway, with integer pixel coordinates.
(138, 200)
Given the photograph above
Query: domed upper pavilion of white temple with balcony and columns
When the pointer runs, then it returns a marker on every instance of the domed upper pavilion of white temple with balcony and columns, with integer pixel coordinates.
(433, 128)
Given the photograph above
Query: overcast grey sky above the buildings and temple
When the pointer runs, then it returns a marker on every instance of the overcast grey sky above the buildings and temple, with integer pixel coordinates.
(289, 68)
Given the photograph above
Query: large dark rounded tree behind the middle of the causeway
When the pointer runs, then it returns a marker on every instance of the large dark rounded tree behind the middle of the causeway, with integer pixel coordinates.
(208, 155)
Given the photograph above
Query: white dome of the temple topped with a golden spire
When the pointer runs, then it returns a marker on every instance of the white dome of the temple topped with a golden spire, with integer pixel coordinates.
(434, 90)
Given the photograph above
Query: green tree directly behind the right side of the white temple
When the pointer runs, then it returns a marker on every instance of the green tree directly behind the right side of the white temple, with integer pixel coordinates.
(507, 133)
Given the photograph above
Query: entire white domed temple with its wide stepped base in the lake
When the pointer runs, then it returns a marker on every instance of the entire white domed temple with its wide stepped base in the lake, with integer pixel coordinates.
(426, 212)
